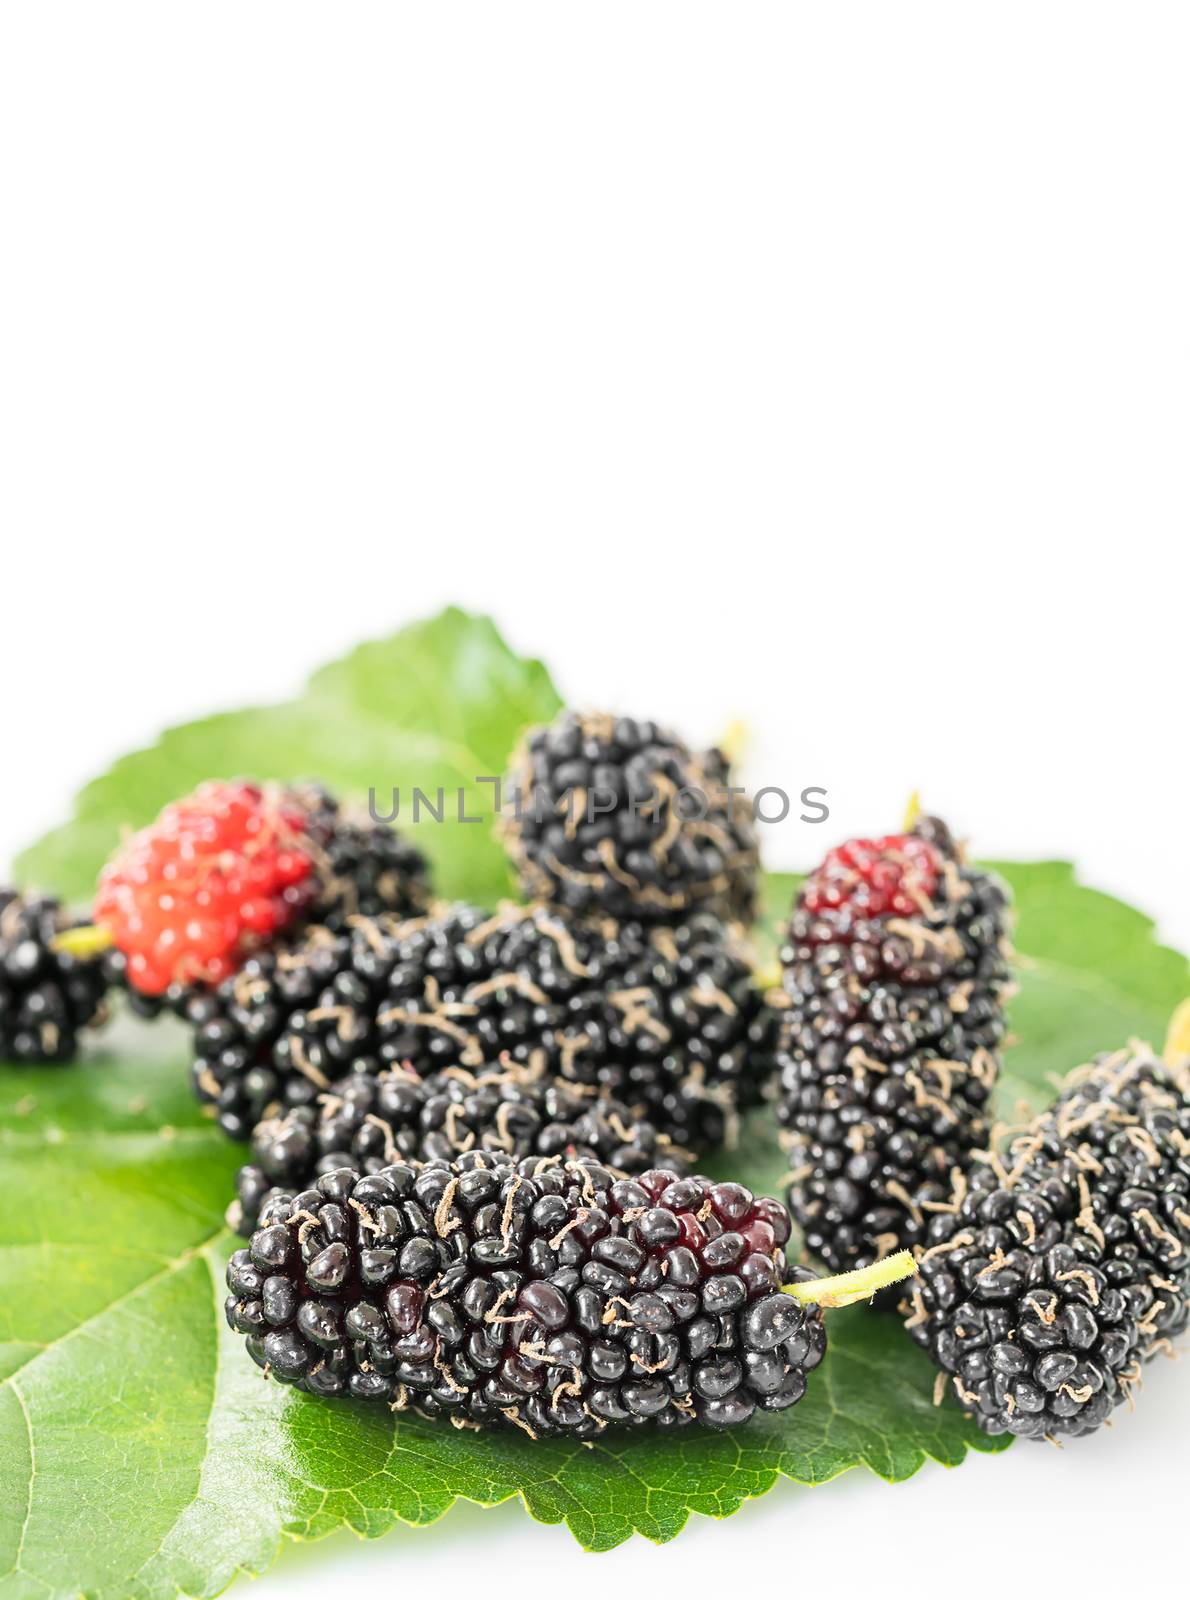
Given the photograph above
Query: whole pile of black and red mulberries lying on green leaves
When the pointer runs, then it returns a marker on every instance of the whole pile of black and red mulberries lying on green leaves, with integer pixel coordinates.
(471, 1132)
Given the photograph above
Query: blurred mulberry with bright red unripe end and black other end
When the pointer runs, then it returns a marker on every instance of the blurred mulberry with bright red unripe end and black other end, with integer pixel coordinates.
(239, 866)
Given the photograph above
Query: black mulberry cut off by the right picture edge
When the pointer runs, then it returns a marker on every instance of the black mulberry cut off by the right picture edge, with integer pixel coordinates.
(1063, 1262)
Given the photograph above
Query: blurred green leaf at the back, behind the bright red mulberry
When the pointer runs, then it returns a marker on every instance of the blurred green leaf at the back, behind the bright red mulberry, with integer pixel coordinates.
(437, 706)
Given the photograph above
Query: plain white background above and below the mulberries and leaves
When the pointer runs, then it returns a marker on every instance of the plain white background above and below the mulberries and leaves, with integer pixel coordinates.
(823, 367)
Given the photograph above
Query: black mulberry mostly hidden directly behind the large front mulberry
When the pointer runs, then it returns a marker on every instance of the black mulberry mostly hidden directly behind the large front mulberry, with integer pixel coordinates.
(370, 1122)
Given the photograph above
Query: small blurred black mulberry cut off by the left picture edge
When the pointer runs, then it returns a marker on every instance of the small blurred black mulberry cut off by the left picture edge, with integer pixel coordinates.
(47, 996)
